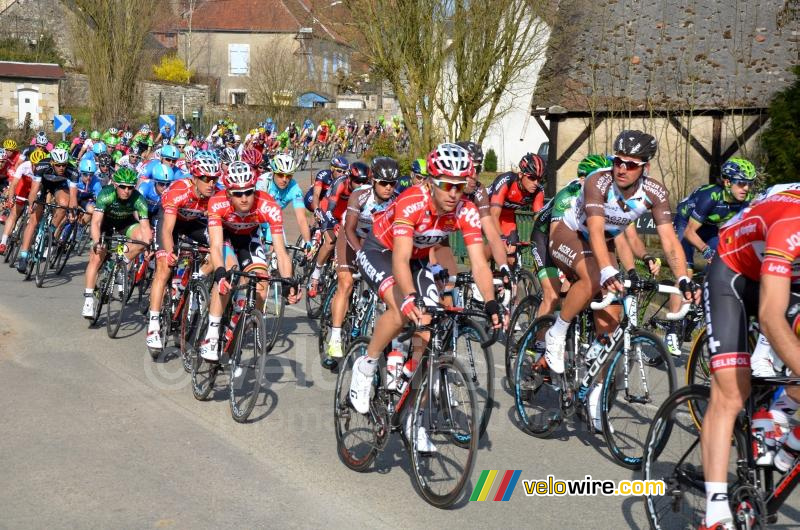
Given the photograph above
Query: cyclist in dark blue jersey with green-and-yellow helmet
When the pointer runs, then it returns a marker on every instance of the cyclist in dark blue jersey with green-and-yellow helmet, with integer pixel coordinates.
(699, 217)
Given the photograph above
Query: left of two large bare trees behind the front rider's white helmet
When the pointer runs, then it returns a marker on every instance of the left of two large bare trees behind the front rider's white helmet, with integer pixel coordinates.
(404, 41)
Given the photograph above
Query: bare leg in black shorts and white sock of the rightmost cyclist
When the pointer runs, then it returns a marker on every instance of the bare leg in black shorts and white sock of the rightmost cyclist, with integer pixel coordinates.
(729, 300)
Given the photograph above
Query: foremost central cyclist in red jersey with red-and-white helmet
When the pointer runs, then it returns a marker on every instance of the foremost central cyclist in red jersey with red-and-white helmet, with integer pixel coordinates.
(394, 259)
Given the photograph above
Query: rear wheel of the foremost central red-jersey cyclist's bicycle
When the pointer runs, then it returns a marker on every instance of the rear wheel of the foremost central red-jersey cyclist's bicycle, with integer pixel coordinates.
(356, 434)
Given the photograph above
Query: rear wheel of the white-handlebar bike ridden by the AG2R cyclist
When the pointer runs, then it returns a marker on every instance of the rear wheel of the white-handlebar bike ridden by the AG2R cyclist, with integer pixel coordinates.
(537, 399)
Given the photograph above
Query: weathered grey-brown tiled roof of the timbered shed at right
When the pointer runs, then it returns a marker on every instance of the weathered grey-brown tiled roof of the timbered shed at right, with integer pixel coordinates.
(663, 54)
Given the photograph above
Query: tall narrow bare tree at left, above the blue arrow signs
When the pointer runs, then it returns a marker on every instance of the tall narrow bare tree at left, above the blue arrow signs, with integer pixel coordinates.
(111, 51)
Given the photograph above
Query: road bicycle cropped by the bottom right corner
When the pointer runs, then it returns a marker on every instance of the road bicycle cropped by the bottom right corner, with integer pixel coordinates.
(672, 454)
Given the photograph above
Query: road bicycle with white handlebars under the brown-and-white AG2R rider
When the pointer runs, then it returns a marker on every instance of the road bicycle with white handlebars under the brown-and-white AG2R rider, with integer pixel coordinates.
(633, 364)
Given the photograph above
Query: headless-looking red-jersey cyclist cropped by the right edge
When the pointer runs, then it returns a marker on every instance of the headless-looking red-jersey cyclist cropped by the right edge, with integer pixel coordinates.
(757, 271)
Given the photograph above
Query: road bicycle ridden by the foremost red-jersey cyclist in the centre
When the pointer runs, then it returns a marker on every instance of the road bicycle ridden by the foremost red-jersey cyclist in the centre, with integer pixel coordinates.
(440, 397)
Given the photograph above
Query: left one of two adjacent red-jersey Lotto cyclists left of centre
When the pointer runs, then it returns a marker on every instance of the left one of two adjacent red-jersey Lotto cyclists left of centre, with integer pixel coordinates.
(183, 211)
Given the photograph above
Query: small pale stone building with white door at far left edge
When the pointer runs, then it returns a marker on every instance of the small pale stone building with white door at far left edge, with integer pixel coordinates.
(29, 88)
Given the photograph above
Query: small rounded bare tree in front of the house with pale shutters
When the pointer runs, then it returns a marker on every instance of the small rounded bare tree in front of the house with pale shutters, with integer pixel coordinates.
(277, 73)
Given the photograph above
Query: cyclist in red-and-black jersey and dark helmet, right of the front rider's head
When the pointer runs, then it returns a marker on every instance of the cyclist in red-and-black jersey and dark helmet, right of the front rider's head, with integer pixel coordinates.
(514, 191)
